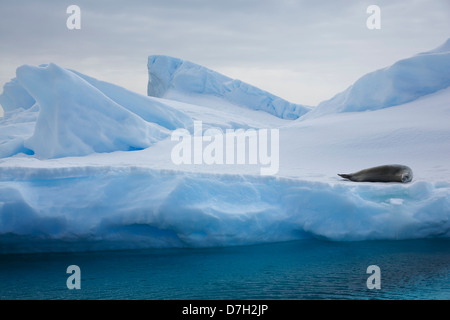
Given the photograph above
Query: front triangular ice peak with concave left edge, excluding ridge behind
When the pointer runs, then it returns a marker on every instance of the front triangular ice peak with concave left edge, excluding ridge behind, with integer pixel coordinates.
(75, 119)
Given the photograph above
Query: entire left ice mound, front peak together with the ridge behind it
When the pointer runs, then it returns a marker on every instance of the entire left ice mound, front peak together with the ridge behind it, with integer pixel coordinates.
(81, 115)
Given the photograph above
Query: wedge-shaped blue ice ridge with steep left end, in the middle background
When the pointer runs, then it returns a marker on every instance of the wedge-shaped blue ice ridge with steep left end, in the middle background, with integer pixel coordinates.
(185, 81)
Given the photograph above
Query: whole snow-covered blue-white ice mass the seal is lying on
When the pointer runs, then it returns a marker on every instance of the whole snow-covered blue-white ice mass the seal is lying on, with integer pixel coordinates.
(58, 193)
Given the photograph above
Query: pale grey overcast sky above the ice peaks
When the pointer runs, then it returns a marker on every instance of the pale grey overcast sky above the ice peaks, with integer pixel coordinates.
(303, 51)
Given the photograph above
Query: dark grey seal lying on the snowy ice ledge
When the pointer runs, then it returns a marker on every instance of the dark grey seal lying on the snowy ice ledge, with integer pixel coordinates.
(386, 173)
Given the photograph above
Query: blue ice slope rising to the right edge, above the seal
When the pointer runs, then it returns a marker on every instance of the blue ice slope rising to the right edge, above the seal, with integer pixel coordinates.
(404, 81)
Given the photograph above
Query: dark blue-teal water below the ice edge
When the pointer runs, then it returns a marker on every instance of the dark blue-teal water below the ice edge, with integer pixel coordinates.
(306, 269)
